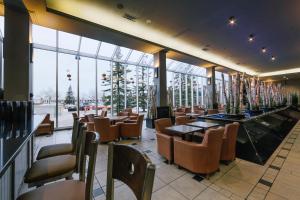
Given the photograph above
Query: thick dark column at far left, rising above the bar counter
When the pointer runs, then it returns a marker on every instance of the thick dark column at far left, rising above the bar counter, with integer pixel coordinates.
(17, 53)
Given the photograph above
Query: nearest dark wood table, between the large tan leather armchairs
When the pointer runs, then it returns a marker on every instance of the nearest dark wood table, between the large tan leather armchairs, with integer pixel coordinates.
(183, 131)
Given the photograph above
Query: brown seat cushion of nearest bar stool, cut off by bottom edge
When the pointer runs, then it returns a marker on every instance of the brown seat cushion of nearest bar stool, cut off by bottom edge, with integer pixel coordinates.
(63, 190)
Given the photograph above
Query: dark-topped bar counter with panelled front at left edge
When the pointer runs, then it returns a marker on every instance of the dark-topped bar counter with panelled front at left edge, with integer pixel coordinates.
(16, 154)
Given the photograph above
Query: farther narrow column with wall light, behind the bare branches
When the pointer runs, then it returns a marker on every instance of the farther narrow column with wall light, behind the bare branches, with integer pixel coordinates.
(211, 87)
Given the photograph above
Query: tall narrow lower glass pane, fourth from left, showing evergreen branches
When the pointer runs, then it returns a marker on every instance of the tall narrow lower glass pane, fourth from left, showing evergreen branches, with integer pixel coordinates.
(104, 85)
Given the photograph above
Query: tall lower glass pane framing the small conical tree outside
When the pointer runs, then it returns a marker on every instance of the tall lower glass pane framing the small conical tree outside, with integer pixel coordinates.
(67, 89)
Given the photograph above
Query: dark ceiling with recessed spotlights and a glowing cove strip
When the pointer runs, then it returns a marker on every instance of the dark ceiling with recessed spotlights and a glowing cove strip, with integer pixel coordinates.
(201, 24)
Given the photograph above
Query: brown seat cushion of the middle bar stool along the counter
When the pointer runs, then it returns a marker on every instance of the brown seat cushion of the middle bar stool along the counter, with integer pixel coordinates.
(50, 167)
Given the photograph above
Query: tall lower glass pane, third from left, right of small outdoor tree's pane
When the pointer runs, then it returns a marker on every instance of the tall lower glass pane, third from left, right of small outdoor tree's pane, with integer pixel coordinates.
(87, 90)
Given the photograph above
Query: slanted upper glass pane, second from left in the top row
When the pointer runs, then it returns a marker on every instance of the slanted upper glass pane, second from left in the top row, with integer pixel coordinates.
(68, 41)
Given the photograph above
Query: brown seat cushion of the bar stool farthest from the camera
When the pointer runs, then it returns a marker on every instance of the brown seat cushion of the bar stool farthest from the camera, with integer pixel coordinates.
(55, 150)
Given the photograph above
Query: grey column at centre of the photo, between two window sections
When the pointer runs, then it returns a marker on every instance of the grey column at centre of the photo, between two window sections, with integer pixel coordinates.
(160, 78)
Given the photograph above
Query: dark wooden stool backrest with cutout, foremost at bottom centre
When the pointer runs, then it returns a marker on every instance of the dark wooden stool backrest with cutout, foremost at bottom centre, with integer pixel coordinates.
(131, 167)
